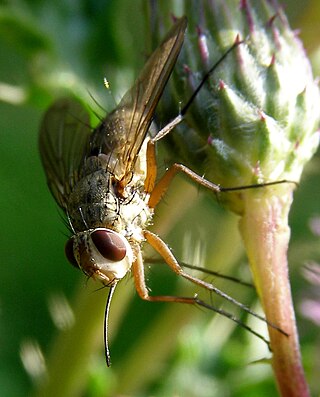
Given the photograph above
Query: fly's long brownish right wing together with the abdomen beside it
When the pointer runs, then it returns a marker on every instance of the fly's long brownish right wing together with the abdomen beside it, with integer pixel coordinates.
(122, 133)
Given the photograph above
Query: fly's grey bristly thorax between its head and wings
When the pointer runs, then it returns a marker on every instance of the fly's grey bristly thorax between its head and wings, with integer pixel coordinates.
(99, 200)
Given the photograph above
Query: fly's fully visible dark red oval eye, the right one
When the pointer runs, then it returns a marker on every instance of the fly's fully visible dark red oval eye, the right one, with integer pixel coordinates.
(109, 244)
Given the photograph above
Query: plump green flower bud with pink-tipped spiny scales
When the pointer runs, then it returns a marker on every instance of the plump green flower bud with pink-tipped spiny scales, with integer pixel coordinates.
(256, 119)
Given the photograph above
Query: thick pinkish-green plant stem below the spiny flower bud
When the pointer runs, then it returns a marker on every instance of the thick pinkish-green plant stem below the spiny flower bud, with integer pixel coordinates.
(265, 230)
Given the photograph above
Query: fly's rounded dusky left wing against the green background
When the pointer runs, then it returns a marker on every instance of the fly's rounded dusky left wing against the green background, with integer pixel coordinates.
(63, 142)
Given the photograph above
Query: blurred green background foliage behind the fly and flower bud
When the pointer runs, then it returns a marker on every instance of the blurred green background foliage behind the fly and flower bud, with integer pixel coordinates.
(52, 48)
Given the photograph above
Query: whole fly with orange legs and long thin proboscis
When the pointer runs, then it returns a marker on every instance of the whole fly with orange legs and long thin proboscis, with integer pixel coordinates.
(105, 180)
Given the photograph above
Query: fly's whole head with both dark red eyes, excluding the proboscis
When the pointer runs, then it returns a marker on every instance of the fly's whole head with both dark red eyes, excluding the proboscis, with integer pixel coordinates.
(100, 253)
